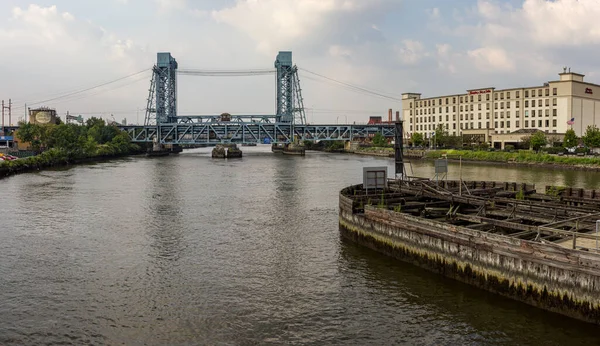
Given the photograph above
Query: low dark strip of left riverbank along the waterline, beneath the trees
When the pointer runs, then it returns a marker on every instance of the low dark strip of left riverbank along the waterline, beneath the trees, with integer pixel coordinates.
(60, 157)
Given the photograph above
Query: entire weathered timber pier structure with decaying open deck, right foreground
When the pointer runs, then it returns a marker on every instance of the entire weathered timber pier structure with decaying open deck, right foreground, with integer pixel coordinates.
(502, 237)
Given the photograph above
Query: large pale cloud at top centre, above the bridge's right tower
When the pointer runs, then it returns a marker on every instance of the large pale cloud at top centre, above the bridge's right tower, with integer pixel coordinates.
(275, 24)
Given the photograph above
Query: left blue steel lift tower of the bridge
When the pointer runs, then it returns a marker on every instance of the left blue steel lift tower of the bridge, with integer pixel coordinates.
(162, 95)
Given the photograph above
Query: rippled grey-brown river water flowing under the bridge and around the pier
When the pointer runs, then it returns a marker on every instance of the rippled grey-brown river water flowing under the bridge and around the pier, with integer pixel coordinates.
(194, 250)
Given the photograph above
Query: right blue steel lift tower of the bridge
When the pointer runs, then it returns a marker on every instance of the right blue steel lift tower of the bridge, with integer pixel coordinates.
(290, 105)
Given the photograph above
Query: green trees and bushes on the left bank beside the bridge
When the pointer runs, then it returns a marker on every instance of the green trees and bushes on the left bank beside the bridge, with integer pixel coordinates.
(67, 144)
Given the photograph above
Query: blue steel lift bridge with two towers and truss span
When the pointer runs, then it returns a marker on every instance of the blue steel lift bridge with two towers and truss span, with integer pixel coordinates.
(163, 126)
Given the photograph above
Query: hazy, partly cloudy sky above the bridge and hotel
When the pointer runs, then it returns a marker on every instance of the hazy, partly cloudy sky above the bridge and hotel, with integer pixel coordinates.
(94, 57)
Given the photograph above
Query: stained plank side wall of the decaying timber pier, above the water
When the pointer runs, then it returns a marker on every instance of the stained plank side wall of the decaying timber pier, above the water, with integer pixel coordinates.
(547, 276)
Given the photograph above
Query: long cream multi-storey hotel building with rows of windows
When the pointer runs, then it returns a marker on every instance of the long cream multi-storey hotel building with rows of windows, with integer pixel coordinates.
(504, 116)
